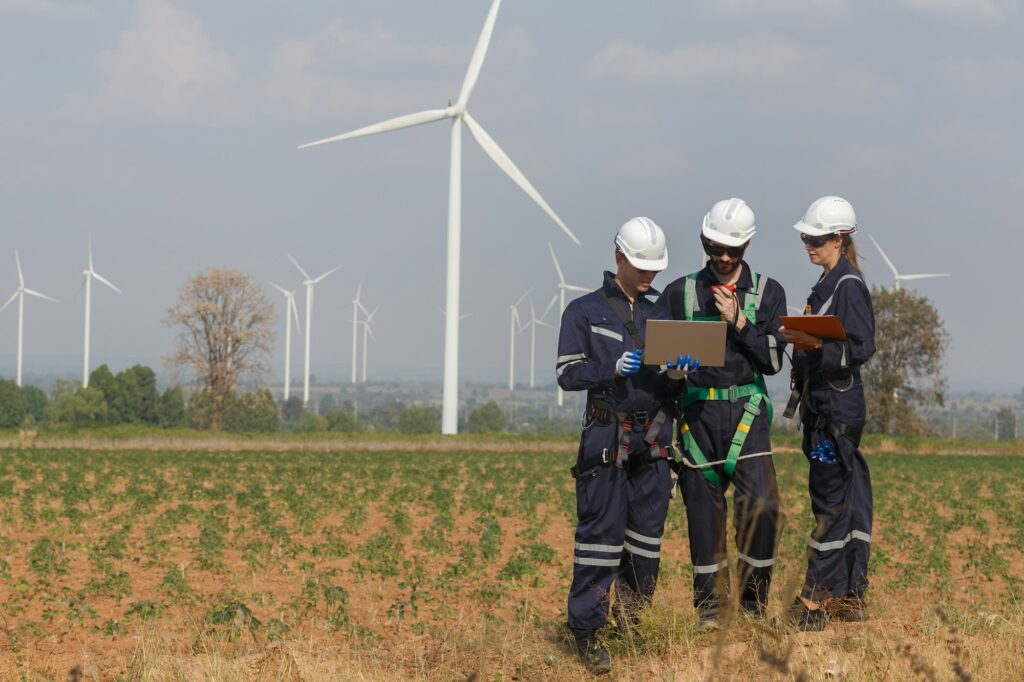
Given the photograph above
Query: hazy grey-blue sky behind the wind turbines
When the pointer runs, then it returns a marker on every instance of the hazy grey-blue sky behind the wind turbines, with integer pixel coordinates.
(167, 132)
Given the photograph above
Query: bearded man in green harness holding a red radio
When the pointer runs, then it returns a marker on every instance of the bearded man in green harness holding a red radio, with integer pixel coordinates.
(727, 416)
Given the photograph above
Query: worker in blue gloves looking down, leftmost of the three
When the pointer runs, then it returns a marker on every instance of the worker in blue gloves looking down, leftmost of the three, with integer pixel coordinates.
(622, 474)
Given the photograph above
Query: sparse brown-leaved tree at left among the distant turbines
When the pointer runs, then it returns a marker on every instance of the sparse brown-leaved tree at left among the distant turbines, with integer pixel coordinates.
(226, 333)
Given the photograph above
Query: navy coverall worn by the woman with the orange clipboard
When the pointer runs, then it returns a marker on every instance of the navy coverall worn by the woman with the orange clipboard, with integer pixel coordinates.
(833, 403)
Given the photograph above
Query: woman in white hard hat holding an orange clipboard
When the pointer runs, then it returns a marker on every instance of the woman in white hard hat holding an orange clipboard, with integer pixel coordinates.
(828, 387)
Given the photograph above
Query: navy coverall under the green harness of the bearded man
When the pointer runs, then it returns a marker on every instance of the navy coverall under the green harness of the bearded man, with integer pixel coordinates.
(713, 425)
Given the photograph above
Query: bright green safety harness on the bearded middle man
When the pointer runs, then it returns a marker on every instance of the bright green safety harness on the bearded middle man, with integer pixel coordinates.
(755, 393)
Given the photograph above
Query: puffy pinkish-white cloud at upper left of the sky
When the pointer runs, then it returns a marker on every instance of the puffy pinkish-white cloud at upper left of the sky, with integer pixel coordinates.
(166, 67)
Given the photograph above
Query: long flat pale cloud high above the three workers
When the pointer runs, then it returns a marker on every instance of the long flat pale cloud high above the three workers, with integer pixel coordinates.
(757, 61)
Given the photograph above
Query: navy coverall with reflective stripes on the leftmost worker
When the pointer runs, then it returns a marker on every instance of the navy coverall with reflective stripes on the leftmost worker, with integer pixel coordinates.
(621, 507)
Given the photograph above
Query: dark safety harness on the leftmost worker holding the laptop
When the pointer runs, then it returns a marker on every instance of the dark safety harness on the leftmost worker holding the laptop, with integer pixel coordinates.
(628, 422)
